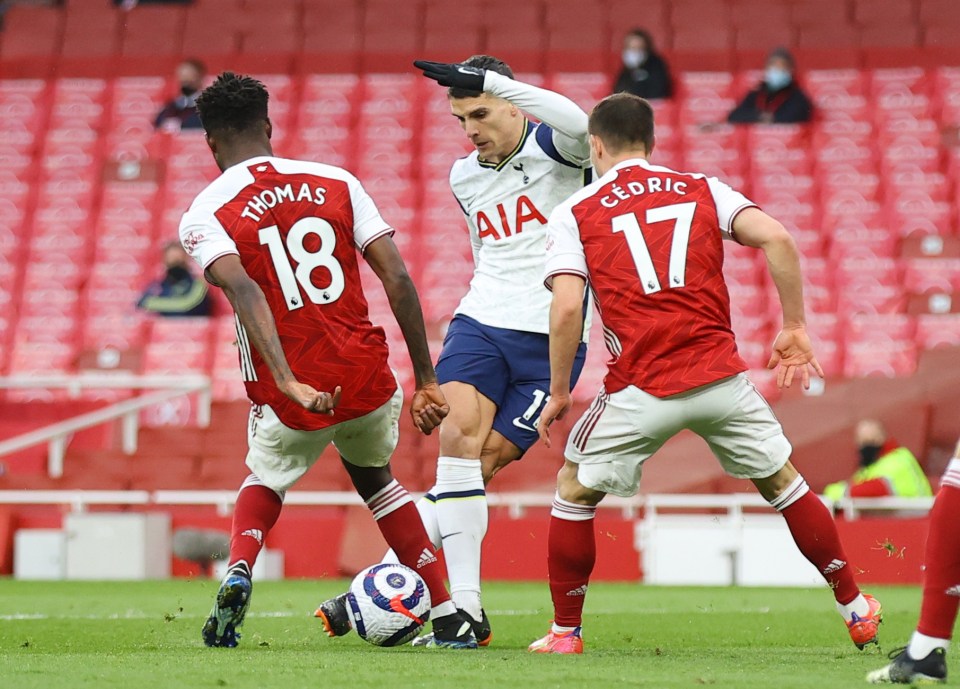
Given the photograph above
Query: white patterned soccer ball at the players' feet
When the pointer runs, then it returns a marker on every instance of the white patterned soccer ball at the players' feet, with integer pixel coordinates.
(388, 604)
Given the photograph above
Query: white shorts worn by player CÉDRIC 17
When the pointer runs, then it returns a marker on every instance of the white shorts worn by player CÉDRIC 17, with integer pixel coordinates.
(620, 431)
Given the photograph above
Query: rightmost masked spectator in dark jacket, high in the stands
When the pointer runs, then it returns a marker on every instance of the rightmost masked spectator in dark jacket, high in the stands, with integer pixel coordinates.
(778, 98)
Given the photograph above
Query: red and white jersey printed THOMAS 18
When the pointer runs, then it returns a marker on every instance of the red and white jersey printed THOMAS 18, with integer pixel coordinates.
(296, 226)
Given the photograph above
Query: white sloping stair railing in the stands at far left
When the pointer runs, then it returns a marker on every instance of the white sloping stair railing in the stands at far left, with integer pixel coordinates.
(57, 435)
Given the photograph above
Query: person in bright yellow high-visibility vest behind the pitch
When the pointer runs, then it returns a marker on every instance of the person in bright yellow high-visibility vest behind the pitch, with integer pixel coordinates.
(886, 468)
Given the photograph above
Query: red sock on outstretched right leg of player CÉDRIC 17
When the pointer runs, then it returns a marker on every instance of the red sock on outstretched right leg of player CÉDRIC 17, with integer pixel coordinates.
(815, 534)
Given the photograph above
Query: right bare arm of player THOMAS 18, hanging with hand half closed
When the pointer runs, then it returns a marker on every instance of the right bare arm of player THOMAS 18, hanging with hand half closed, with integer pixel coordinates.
(429, 406)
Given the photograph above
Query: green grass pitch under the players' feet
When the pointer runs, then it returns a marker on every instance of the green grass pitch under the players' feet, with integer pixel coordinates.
(132, 635)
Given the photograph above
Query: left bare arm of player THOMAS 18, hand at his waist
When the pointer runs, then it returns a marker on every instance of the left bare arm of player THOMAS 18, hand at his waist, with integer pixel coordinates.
(251, 307)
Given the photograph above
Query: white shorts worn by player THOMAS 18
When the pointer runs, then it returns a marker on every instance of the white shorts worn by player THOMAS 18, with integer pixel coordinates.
(280, 455)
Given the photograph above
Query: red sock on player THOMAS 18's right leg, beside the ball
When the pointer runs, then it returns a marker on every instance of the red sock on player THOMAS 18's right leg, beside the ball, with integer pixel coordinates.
(401, 526)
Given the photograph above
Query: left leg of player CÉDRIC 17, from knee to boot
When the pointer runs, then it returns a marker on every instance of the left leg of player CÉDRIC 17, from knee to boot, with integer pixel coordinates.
(572, 552)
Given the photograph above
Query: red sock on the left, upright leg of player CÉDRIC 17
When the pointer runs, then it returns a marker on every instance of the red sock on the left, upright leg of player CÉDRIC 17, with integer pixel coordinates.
(572, 548)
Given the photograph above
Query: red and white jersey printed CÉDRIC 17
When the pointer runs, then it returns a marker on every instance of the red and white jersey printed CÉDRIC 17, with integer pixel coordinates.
(650, 242)
